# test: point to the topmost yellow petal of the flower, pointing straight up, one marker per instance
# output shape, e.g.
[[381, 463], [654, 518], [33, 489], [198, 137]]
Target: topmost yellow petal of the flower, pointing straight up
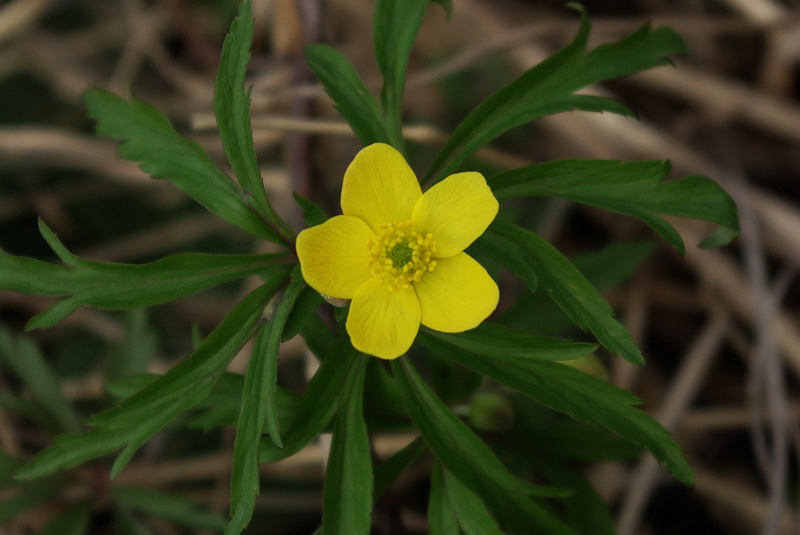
[[379, 186]]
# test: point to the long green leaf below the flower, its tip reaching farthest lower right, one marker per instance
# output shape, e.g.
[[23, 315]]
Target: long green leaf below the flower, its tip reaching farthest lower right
[[585, 398]]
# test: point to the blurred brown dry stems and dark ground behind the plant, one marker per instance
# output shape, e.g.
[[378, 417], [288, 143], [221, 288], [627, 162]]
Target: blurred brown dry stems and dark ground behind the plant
[[719, 328]]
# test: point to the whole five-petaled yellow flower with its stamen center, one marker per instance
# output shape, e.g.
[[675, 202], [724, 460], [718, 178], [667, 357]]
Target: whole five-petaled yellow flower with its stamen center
[[398, 254]]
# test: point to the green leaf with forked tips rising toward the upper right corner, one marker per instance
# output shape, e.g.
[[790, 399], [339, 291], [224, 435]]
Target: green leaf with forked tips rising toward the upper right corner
[[549, 88]]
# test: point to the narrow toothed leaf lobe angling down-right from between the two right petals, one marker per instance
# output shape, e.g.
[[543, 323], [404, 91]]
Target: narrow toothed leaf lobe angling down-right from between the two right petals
[[570, 290]]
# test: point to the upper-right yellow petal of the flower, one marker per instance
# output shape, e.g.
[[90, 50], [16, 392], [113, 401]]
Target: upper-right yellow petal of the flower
[[456, 211]]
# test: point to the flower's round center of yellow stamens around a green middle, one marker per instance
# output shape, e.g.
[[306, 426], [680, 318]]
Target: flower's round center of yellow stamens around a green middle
[[400, 256]]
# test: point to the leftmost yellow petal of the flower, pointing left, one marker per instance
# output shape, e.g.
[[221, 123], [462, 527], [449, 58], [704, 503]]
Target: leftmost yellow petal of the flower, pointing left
[[334, 255]]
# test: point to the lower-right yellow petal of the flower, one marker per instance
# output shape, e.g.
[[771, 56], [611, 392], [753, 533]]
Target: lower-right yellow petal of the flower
[[457, 296]]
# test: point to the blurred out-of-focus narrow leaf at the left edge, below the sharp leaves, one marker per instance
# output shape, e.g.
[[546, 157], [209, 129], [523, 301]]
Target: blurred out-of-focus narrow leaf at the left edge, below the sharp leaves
[[28, 364]]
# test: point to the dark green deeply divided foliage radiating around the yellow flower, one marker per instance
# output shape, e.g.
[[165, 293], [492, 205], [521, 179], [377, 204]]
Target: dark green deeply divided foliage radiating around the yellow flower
[[476, 486]]
